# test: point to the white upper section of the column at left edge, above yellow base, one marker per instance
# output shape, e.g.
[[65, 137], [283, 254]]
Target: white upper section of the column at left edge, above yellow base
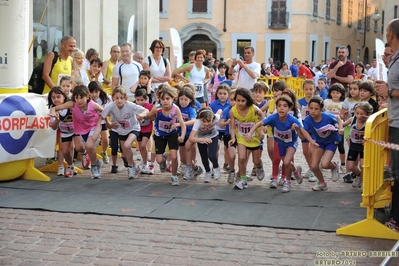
[[14, 17]]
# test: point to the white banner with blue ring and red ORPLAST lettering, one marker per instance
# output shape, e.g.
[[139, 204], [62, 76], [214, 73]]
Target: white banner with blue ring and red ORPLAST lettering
[[24, 127]]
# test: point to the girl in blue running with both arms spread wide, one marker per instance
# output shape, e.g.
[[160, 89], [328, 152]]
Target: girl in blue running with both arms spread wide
[[284, 126]]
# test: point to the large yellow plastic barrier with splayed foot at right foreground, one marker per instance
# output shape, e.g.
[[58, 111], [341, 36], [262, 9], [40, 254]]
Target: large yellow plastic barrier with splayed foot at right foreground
[[376, 193]]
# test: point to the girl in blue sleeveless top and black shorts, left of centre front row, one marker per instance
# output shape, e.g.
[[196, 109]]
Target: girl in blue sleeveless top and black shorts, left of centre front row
[[166, 113]]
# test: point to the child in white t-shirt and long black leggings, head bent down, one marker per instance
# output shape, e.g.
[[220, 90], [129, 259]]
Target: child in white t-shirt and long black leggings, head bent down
[[204, 133]]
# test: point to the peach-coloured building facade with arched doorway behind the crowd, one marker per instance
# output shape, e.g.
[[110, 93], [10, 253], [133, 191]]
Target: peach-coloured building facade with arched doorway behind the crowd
[[282, 29]]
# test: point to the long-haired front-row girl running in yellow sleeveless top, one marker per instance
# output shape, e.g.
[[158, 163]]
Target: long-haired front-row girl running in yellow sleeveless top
[[244, 115]]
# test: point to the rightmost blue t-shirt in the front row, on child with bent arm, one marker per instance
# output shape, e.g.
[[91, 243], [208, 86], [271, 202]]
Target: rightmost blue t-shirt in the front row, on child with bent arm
[[324, 131]]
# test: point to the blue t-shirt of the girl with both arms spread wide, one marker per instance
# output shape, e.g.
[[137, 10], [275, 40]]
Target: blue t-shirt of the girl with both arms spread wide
[[282, 132]]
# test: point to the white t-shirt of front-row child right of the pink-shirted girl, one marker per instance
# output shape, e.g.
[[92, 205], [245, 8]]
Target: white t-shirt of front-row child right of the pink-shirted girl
[[125, 117]]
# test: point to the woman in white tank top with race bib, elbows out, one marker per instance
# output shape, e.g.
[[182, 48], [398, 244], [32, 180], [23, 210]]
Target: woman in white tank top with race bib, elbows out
[[199, 75]]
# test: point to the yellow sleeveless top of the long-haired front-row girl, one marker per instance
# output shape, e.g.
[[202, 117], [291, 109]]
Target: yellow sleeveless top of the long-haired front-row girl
[[244, 125]]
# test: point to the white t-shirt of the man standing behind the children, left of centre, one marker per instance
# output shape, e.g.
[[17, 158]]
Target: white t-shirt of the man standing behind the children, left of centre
[[129, 74]]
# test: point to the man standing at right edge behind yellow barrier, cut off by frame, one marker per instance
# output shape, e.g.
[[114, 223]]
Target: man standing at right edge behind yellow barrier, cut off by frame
[[392, 91]]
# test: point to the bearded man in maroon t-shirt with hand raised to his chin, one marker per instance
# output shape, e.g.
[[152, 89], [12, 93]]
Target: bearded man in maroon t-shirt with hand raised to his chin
[[341, 70]]
